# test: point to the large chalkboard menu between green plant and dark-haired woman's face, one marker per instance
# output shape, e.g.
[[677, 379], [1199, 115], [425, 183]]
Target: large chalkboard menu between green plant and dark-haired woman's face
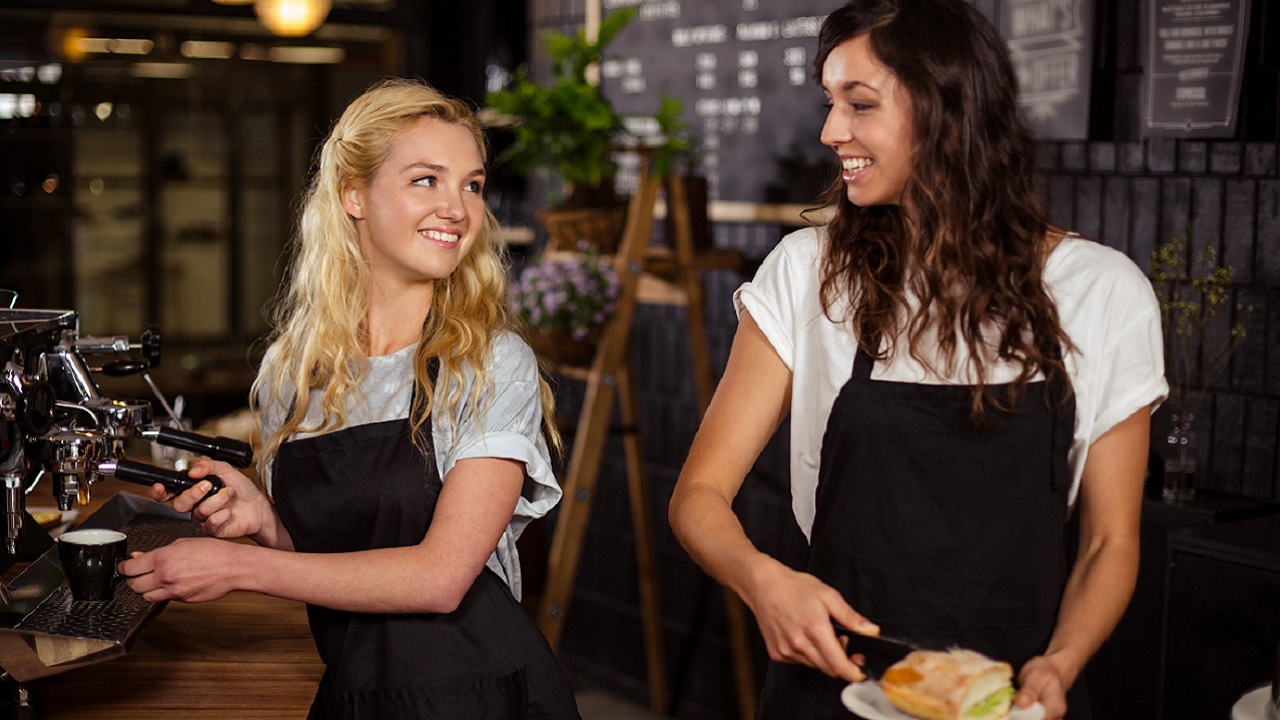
[[743, 70]]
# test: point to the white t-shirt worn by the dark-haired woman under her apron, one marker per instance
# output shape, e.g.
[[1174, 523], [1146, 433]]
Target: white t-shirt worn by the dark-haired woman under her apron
[[1104, 302]]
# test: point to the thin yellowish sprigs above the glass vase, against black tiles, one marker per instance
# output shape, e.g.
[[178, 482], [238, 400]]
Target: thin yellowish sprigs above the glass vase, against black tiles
[[1192, 291]]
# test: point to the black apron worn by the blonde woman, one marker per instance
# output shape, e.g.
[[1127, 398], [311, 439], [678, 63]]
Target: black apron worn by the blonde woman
[[368, 487]]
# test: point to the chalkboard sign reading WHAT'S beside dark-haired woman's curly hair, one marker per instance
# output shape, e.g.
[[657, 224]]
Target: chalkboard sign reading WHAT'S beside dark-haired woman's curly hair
[[1050, 43]]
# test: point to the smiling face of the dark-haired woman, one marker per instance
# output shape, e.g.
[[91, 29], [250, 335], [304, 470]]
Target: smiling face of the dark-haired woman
[[868, 125]]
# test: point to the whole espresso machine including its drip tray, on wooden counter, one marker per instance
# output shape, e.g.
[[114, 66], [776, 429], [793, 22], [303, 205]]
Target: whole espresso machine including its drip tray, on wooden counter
[[57, 423]]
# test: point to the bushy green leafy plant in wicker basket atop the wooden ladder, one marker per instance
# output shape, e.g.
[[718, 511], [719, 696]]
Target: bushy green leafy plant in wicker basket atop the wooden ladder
[[568, 126]]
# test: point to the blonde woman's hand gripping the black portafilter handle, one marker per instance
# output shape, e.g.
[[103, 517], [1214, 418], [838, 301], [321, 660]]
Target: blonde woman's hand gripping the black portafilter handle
[[237, 511]]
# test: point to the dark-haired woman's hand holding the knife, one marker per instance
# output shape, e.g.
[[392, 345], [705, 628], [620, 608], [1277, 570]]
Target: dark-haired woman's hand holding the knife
[[796, 613]]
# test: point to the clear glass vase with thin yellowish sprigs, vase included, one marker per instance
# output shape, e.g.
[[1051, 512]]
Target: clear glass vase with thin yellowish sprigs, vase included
[[1192, 291]]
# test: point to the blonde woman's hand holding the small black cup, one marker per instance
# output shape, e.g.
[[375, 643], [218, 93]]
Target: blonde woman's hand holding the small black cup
[[188, 569]]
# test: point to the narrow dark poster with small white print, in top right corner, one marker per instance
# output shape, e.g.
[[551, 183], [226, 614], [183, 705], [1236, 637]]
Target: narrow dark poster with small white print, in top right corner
[[1195, 65]]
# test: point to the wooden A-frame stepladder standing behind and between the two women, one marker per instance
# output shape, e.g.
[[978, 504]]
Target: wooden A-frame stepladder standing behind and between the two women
[[646, 275]]
